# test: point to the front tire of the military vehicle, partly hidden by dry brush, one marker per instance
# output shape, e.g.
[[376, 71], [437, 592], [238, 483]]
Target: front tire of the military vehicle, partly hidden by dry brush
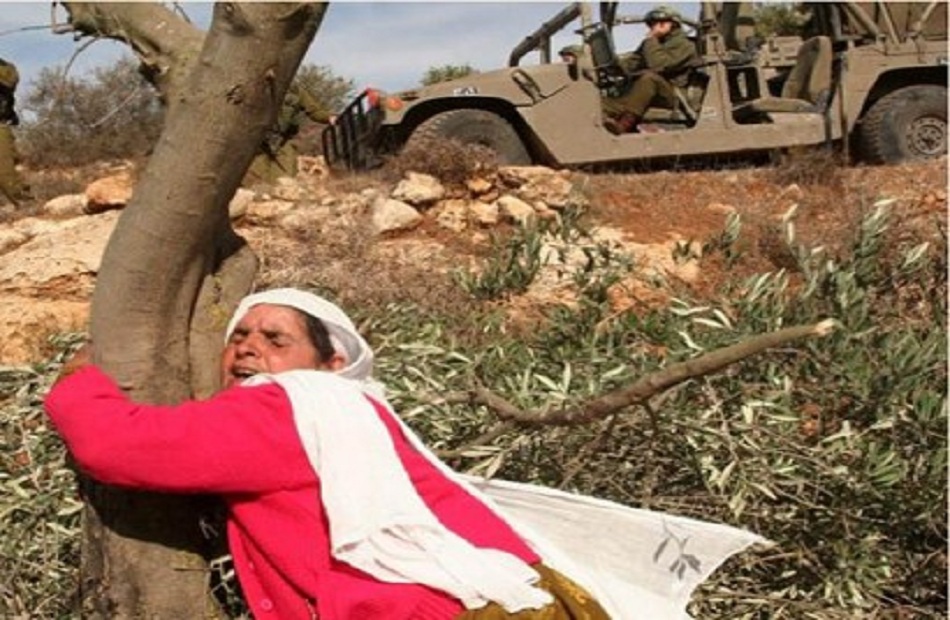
[[476, 127]]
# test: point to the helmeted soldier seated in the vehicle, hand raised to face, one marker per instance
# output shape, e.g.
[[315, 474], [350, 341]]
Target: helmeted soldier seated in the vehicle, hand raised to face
[[660, 64]]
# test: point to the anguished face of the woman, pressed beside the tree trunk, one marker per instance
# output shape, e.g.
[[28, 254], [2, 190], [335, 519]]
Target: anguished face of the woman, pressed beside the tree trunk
[[269, 339]]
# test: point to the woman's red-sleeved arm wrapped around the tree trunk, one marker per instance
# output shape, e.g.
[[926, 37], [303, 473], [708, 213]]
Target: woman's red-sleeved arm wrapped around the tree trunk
[[243, 440]]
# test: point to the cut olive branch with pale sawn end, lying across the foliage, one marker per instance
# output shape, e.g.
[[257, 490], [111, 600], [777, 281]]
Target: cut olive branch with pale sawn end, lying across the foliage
[[640, 391]]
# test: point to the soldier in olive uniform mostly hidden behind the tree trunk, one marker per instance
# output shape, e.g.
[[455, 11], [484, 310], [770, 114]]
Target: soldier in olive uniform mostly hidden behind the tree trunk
[[278, 155]]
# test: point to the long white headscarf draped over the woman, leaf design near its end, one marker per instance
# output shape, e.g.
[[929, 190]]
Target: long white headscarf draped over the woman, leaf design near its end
[[636, 563]]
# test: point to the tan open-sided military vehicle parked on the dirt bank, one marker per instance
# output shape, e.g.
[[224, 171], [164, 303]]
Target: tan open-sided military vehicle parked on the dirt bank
[[868, 77]]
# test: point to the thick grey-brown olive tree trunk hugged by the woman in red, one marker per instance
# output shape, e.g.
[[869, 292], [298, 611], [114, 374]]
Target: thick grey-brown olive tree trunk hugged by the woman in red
[[172, 269]]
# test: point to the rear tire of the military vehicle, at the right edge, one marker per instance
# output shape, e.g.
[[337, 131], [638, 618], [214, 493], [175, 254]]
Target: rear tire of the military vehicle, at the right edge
[[905, 125]]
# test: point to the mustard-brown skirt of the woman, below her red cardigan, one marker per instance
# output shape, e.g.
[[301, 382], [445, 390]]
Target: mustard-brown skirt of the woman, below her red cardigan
[[571, 602]]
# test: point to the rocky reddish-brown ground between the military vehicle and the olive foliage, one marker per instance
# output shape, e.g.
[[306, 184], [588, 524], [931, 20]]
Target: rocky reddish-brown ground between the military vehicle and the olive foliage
[[50, 250]]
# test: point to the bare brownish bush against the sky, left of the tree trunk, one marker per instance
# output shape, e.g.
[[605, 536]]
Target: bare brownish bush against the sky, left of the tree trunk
[[113, 114]]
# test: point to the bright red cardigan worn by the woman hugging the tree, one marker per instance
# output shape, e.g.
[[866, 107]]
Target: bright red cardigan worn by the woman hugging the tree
[[242, 444]]
